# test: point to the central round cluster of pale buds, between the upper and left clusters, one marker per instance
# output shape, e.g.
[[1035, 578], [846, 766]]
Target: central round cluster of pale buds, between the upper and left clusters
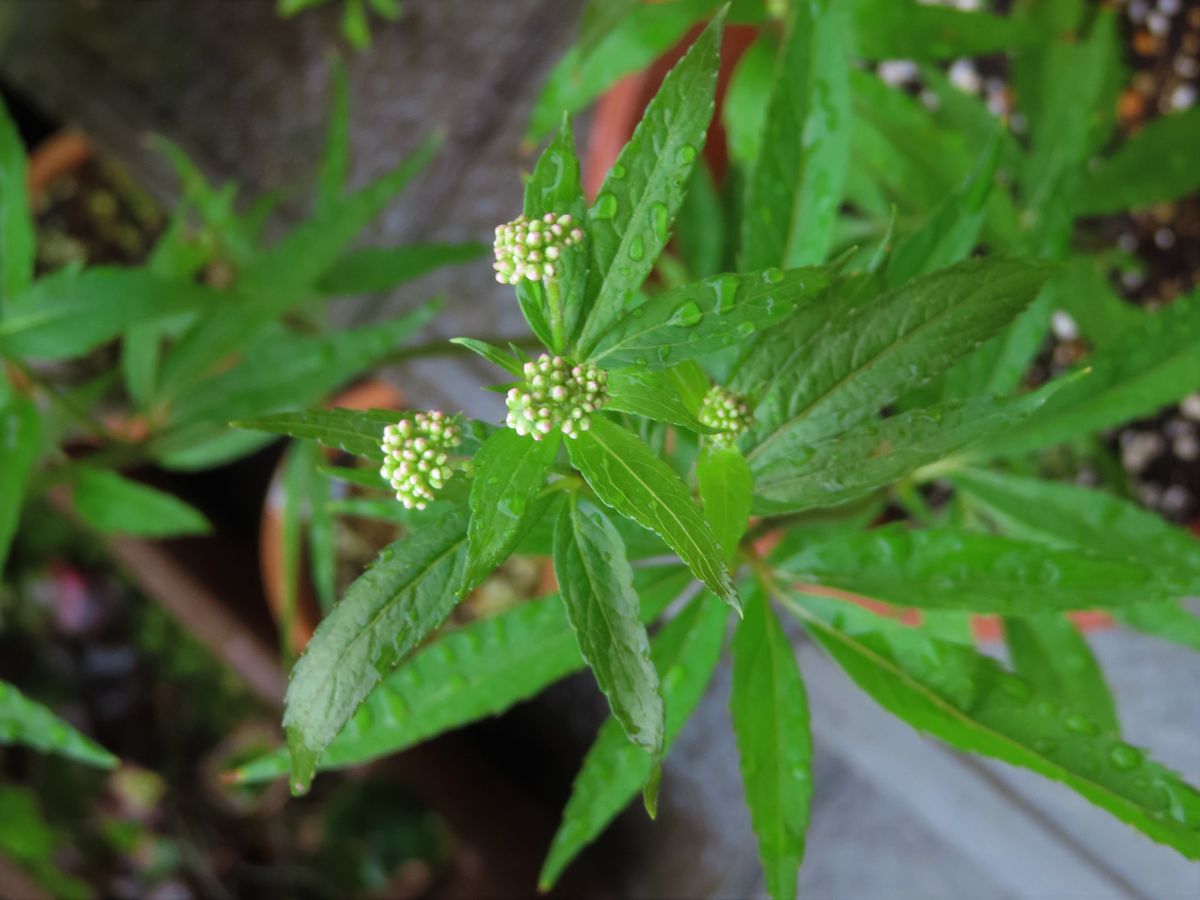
[[557, 395]]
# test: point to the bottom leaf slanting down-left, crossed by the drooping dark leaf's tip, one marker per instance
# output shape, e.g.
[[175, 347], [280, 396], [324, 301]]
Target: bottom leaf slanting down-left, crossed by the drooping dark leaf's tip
[[686, 653]]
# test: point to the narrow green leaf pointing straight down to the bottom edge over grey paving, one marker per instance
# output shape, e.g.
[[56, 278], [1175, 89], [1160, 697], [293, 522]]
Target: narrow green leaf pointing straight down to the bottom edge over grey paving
[[771, 723]]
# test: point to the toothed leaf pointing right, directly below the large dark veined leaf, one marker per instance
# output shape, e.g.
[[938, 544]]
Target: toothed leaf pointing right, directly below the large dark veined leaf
[[879, 453]]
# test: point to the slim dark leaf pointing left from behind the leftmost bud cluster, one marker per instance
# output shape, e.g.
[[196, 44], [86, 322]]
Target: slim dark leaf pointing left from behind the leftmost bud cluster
[[358, 433]]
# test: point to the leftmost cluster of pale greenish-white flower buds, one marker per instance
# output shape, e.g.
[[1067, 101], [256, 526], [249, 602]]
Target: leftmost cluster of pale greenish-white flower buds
[[417, 460]]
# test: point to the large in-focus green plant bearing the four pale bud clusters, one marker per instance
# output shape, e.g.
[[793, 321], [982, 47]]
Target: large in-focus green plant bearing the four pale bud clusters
[[796, 398]]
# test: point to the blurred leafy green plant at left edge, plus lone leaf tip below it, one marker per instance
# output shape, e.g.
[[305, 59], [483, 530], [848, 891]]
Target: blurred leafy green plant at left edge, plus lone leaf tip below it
[[218, 322]]
